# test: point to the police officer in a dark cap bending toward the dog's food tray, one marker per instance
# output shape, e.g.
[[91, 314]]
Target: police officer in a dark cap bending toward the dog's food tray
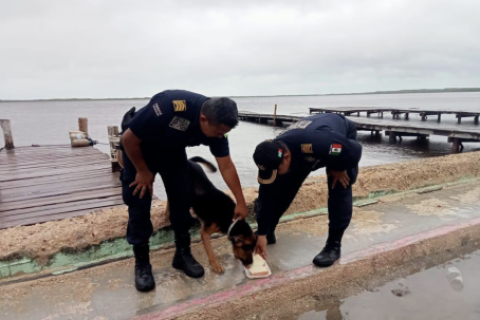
[[324, 140]]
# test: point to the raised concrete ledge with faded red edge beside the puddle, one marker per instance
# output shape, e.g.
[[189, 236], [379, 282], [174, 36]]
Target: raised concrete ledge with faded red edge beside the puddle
[[304, 281]]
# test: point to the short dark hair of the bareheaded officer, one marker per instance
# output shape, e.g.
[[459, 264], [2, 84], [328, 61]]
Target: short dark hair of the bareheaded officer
[[221, 111]]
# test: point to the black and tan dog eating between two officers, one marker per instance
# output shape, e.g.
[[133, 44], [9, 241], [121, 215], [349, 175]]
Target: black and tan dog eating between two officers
[[215, 210]]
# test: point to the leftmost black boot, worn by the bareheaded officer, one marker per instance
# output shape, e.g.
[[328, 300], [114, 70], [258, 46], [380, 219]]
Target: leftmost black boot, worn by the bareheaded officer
[[143, 269]]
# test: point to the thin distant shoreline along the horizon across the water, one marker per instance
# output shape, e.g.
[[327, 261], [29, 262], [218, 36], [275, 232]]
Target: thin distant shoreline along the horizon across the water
[[446, 90]]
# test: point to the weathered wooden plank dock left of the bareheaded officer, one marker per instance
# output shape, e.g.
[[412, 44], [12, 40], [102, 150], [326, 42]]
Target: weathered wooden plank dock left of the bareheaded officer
[[40, 184]]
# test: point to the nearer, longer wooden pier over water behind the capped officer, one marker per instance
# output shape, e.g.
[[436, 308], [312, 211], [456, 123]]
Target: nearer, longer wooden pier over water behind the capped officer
[[457, 134]]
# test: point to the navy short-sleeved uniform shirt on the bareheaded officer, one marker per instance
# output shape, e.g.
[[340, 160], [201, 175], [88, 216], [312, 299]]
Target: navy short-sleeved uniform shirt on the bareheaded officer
[[171, 120]]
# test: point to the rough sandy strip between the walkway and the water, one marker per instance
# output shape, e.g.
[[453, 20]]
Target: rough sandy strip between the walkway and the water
[[42, 241]]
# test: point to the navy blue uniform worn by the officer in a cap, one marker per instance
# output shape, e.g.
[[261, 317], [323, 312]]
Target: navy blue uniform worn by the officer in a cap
[[324, 140]]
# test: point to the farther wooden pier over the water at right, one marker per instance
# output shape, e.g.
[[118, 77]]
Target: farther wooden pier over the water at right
[[397, 113]]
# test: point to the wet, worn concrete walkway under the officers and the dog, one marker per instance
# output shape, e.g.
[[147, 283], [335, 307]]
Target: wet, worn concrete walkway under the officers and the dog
[[107, 292]]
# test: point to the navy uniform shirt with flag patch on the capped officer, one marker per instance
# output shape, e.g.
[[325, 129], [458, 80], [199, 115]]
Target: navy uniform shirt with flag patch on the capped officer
[[324, 140]]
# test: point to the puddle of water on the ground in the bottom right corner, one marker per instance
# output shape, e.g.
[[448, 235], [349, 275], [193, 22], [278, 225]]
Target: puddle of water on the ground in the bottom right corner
[[444, 287]]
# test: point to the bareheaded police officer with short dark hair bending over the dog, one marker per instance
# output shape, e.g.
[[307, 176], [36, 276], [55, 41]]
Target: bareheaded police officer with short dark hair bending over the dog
[[155, 142]]
